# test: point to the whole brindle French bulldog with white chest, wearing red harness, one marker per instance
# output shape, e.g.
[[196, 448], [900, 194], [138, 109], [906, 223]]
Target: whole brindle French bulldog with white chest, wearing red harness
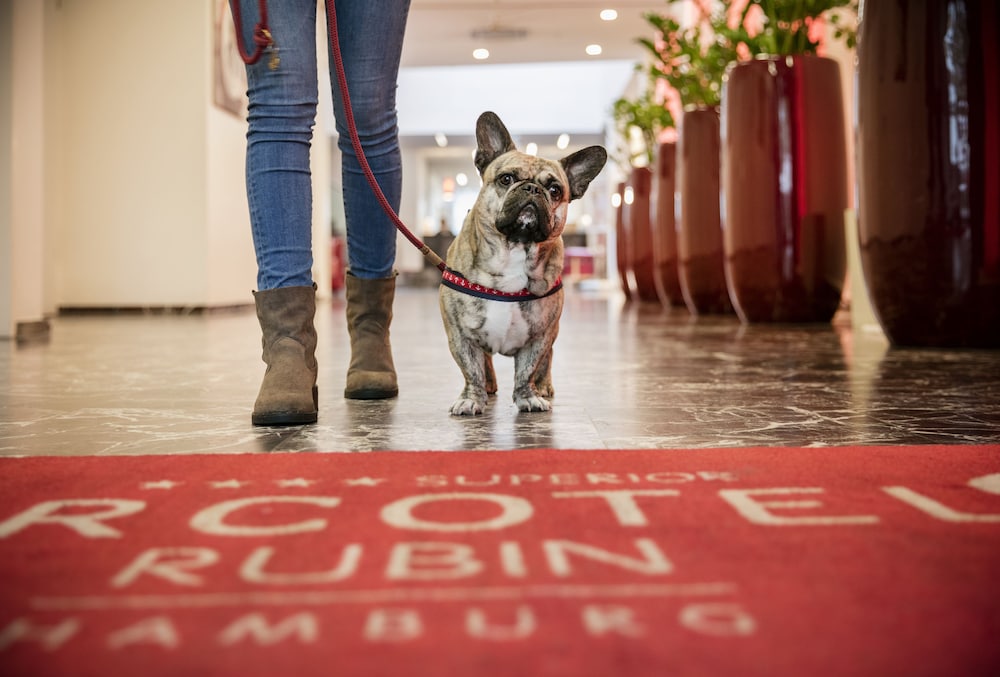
[[508, 259]]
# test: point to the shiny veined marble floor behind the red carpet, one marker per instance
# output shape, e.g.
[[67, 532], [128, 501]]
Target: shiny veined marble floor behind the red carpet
[[627, 375]]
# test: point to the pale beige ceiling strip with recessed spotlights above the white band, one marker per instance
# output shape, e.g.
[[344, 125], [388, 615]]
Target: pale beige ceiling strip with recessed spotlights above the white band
[[441, 32]]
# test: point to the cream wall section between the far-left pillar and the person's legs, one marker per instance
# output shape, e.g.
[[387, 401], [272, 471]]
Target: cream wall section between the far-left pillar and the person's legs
[[151, 176]]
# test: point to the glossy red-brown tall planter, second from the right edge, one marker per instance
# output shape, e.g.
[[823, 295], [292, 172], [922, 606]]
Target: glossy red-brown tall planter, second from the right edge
[[784, 166]]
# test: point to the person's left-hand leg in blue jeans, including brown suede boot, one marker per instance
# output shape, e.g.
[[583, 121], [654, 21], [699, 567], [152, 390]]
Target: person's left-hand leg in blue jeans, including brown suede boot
[[281, 117]]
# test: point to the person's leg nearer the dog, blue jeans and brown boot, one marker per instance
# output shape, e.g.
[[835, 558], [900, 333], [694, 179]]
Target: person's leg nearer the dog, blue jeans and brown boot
[[371, 39]]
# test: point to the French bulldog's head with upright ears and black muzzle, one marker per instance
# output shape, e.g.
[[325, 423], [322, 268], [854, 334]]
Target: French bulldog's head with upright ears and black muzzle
[[527, 196]]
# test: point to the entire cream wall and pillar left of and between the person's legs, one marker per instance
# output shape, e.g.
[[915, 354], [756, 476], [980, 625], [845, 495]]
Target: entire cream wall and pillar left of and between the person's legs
[[121, 183]]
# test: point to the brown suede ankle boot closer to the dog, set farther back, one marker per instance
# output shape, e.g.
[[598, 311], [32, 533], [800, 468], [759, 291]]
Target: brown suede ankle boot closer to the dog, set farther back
[[371, 374]]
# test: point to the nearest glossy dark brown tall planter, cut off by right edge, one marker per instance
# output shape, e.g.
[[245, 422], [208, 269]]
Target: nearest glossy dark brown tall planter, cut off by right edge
[[928, 163]]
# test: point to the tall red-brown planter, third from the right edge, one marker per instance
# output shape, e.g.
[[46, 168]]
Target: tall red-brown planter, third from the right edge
[[699, 234]]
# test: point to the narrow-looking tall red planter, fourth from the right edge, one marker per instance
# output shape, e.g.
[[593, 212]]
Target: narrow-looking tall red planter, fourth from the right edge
[[668, 287]]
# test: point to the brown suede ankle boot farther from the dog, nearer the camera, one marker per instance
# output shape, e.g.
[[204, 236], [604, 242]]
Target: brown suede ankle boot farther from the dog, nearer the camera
[[288, 392]]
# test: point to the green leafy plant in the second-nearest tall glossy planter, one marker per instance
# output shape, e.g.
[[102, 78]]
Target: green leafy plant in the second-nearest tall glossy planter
[[786, 23]]
